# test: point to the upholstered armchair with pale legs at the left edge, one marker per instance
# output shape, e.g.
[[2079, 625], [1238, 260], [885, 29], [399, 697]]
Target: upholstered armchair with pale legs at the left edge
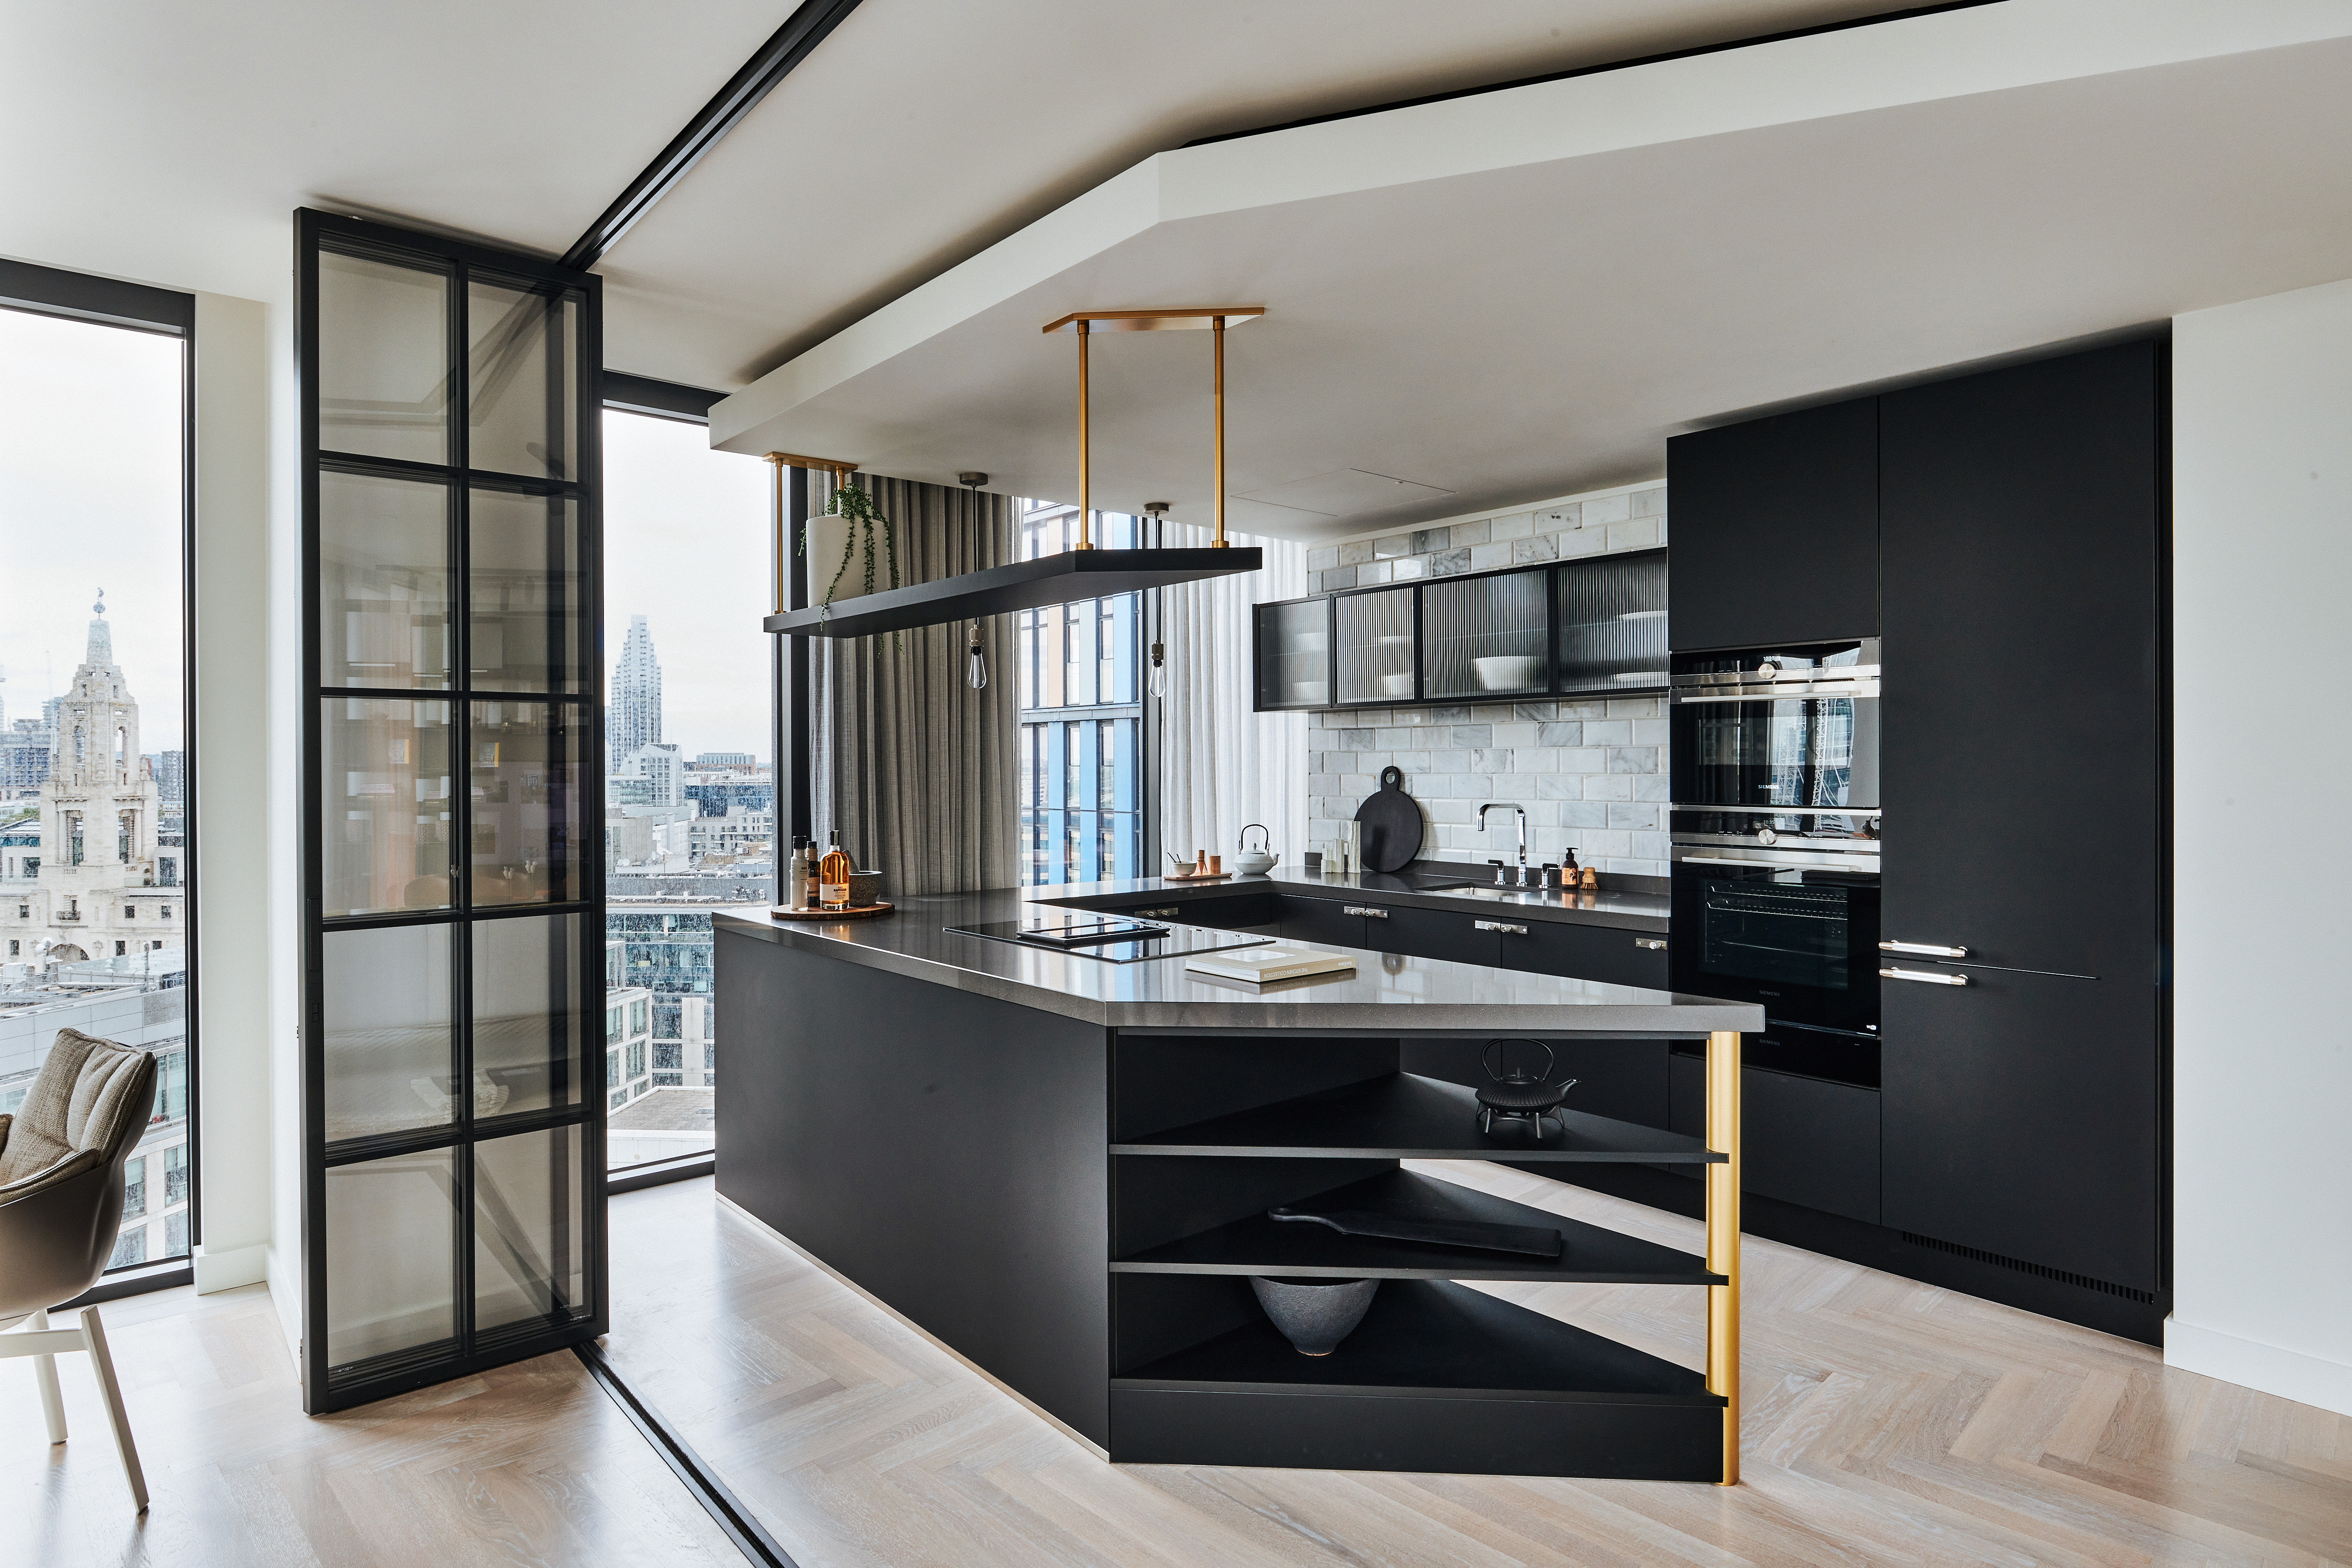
[[60, 1209]]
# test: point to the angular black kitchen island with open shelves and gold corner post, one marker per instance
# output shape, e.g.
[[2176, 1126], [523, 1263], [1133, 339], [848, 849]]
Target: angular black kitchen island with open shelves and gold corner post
[[1062, 1170]]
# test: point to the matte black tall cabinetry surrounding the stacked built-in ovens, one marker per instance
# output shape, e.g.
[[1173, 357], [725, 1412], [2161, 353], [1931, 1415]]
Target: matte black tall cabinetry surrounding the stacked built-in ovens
[[2005, 535]]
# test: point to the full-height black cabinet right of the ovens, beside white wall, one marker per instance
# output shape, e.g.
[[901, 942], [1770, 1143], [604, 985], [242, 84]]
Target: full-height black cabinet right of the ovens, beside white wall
[[2024, 772]]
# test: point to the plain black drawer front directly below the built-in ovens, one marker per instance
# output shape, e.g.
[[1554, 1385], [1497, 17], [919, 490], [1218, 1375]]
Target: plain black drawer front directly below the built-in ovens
[[1805, 1141]]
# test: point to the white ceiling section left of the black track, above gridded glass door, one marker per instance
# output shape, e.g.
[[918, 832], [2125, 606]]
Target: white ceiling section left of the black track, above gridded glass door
[[173, 142]]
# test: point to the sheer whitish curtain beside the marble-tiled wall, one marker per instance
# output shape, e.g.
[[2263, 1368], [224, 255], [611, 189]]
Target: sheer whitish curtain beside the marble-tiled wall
[[1220, 763]]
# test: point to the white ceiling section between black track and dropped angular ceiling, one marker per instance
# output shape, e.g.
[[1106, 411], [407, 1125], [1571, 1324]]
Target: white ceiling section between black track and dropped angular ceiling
[[926, 130]]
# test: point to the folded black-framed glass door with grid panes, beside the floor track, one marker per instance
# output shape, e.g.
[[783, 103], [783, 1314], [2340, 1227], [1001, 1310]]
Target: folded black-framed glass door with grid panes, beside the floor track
[[453, 810]]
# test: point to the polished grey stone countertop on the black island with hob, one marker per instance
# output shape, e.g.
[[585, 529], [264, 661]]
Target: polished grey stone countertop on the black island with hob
[[1384, 993]]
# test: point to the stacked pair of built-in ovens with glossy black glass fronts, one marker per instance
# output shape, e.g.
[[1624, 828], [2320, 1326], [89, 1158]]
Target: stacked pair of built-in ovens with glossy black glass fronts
[[1777, 831]]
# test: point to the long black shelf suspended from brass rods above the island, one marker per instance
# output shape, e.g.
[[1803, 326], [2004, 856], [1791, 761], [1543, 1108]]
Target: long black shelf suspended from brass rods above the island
[[1050, 579]]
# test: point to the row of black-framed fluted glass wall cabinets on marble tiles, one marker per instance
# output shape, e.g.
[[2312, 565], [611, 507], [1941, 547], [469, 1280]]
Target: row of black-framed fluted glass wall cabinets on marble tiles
[[1577, 629]]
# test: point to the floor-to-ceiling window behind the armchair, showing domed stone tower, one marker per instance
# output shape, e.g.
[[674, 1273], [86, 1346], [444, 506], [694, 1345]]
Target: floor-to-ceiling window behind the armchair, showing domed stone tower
[[95, 706]]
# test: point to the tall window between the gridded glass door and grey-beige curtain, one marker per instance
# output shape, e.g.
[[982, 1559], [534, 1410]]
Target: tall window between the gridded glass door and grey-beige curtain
[[690, 786]]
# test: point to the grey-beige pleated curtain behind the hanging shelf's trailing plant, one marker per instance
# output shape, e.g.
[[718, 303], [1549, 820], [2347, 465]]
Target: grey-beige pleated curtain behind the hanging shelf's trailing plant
[[909, 760]]
